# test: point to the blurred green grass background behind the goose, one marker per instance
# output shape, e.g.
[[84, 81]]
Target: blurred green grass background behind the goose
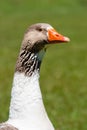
[[64, 69]]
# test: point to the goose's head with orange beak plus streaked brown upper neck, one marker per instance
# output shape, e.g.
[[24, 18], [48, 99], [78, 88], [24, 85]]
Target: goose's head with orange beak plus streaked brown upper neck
[[34, 44]]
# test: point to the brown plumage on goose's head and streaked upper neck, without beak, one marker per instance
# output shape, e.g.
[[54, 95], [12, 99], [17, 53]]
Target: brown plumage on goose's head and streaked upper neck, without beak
[[35, 39]]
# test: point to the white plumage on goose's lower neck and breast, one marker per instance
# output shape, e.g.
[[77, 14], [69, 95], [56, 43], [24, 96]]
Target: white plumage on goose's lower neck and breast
[[26, 109]]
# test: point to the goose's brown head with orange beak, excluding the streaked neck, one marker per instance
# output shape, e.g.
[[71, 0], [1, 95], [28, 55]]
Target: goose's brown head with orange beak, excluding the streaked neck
[[41, 34]]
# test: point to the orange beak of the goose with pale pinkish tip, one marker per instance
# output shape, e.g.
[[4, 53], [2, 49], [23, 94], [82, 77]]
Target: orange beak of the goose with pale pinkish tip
[[54, 37]]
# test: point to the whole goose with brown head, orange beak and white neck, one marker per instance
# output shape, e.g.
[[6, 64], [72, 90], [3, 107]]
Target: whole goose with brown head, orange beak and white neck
[[27, 111]]
